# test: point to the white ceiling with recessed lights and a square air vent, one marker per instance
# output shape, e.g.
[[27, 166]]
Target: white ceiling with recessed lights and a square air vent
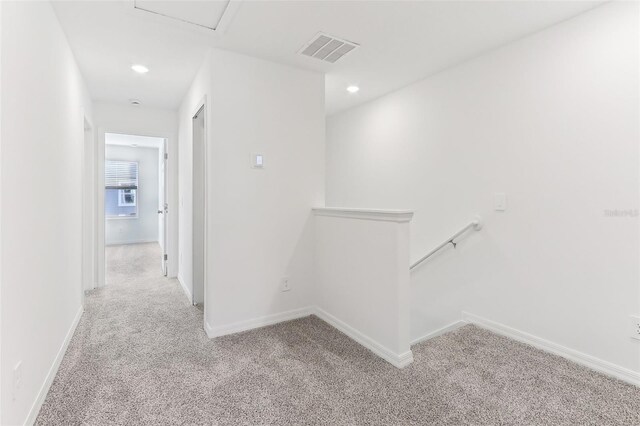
[[401, 42]]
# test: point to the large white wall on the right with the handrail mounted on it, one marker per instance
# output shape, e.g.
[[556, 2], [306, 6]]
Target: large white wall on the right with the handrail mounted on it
[[551, 120]]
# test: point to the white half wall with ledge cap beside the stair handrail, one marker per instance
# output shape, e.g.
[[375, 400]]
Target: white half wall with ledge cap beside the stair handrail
[[362, 278]]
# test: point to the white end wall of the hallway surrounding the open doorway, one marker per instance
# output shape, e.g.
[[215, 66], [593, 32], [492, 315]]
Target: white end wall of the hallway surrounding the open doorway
[[141, 121]]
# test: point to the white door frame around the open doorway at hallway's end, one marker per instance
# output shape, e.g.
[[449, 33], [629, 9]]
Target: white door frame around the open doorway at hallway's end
[[170, 182]]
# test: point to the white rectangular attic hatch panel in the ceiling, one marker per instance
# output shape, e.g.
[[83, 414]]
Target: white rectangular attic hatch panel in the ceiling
[[210, 15]]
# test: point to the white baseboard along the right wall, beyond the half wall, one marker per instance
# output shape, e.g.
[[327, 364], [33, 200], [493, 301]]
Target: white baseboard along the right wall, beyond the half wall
[[589, 361]]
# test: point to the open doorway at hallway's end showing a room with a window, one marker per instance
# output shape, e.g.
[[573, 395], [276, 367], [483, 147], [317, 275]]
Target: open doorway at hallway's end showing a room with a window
[[135, 207]]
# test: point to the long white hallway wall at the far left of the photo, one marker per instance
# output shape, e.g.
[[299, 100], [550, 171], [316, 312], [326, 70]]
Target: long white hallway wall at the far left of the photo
[[44, 100]]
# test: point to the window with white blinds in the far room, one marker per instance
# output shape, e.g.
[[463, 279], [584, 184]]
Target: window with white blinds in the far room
[[121, 189]]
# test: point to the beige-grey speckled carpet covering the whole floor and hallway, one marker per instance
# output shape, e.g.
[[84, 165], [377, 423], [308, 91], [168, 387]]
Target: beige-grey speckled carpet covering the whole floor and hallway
[[141, 357]]
